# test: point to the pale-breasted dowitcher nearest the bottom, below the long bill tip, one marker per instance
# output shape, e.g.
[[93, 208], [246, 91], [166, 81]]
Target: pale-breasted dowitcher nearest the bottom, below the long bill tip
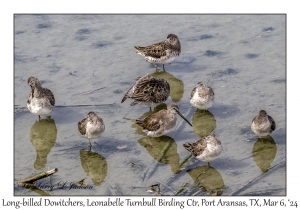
[[205, 149]]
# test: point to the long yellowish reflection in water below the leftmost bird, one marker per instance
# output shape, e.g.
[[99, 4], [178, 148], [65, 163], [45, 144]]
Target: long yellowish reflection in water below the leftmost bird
[[43, 135]]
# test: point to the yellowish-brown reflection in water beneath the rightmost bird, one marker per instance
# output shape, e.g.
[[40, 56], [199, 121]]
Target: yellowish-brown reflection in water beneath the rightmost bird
[[264, 152]]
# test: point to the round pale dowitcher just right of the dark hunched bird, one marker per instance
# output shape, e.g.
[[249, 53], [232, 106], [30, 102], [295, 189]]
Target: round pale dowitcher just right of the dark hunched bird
[[202, 96]]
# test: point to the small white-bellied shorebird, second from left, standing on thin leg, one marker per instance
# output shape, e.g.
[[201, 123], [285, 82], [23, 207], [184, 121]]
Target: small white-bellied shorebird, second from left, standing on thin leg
[[91, 127]]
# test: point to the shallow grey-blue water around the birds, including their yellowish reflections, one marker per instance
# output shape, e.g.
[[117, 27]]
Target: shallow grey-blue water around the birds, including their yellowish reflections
[[88, 62]]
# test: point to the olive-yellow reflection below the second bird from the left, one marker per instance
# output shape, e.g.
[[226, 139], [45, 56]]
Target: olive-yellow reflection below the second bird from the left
[[94, 165]]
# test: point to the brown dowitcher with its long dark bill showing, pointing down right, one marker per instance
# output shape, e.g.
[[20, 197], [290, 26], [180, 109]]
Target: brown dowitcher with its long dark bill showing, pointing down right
[[161, 122]]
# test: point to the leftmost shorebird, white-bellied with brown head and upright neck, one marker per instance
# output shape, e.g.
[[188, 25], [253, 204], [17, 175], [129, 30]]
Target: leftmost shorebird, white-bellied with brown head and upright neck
[[41, 100]]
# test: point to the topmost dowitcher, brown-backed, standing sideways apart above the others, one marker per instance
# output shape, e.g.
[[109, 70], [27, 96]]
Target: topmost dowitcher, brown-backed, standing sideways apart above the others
[[163, 52]]
